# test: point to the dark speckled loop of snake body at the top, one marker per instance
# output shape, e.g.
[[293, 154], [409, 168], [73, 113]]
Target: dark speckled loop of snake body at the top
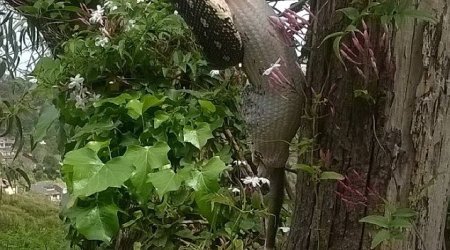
[[212, 24]]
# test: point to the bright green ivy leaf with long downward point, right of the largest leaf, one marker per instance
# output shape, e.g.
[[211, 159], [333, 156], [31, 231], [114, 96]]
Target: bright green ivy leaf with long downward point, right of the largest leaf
[[146, 159]]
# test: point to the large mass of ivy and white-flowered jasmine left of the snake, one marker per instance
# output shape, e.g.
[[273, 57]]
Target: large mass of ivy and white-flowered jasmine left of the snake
[[141, 123]]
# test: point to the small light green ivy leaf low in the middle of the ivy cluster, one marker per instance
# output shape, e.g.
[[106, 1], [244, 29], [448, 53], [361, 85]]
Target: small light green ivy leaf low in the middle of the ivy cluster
[[164, 181]]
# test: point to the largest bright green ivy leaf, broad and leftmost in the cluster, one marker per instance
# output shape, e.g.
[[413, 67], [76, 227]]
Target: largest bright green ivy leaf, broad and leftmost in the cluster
[[90, 175]]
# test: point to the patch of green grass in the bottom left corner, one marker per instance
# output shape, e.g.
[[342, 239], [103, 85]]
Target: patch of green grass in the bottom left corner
[[30, 223]]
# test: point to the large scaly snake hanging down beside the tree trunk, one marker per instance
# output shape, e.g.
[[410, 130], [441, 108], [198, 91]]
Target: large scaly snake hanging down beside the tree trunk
[[240, 31]]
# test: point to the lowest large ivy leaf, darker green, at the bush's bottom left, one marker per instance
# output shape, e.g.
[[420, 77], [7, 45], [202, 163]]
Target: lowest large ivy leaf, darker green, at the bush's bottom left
[[97, 222]]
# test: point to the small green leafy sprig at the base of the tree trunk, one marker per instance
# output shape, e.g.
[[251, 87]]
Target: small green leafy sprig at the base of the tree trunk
[[392, 225]]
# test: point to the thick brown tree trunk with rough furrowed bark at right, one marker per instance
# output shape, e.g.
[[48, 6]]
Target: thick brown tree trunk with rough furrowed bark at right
[[396, 147]]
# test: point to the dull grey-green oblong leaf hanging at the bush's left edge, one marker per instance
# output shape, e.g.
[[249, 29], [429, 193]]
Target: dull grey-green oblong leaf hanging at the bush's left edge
[[47, 116]]
